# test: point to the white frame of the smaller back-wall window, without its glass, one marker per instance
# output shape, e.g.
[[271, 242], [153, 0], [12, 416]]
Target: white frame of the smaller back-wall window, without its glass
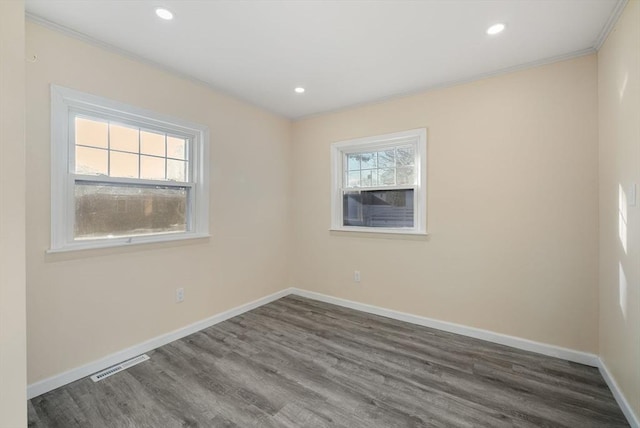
[[339, 152]]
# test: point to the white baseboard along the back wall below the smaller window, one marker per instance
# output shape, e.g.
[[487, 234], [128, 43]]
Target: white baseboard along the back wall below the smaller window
[[490, 336]]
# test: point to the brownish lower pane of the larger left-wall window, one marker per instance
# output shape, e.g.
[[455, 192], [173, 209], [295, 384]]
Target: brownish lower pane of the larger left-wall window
[[105, 210]]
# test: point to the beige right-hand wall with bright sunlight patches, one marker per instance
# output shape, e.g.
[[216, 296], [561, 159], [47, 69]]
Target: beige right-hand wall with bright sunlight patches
[[619, 111]]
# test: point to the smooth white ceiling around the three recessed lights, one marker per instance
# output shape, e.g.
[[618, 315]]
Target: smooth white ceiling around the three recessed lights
[[343, 52]]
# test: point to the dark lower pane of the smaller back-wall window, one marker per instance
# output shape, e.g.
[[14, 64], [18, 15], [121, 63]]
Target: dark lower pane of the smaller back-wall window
[[378, 208]]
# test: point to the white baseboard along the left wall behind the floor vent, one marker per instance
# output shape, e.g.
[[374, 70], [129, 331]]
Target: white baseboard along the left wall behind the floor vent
[[72, 375]]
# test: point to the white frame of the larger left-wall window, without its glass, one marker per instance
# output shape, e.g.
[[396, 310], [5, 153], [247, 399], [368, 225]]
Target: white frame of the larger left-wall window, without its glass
[[65, 105]]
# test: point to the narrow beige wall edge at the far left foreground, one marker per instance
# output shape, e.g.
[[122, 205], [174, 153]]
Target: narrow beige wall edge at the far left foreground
[[13, 410]]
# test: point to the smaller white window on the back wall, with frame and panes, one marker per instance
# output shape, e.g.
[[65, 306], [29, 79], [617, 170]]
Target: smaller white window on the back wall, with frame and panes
[[379, 183]]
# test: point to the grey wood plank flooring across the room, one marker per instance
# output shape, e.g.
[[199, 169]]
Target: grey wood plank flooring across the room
[[302, 363]]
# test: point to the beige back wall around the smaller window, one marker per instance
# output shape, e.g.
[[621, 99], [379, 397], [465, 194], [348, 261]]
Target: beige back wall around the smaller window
[[512, 207]]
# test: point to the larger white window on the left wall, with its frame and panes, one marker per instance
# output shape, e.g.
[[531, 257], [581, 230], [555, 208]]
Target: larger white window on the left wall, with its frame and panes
[[122, 175]]
